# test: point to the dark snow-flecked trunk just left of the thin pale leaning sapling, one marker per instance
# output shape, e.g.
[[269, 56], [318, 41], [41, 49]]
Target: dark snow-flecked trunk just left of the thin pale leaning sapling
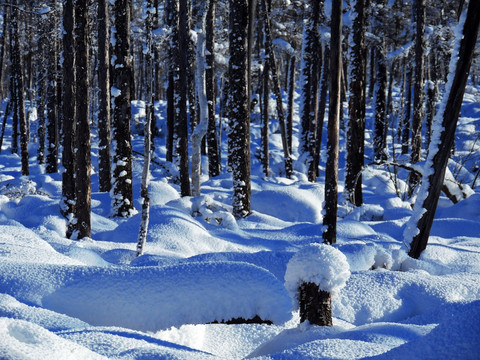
[[121, 93]]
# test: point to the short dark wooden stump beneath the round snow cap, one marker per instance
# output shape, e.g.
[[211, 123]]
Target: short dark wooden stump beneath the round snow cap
[[315, 305]]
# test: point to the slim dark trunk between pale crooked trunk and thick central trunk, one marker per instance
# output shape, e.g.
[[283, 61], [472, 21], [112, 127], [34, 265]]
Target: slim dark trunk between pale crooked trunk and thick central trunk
[[212, 138]]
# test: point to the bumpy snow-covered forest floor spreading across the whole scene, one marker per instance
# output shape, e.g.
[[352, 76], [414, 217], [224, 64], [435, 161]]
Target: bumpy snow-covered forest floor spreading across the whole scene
[[89, 299]]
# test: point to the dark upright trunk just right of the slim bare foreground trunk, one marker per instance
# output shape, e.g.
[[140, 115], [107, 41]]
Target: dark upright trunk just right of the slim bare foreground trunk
[[356, 124]]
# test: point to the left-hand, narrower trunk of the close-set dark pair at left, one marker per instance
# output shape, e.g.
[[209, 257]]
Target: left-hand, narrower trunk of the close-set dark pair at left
[[69, 119]]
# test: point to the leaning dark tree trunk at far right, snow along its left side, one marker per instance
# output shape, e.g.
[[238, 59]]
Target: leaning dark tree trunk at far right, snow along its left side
[[418, 228]]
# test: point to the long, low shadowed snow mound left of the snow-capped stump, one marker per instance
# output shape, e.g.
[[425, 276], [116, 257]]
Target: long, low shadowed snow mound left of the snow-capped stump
[[152, 298]]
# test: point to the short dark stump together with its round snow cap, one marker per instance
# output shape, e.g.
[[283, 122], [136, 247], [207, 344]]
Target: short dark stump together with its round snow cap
[[314, 274]]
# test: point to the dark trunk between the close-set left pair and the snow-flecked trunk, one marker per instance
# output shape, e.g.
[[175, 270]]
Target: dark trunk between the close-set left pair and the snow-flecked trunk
[[104, 115]]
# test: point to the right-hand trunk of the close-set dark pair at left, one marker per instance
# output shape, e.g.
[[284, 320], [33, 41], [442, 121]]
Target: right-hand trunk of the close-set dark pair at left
[[82, 139]]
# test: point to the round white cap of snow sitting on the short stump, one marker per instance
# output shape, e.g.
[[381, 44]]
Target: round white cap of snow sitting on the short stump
[[320, 264]]
